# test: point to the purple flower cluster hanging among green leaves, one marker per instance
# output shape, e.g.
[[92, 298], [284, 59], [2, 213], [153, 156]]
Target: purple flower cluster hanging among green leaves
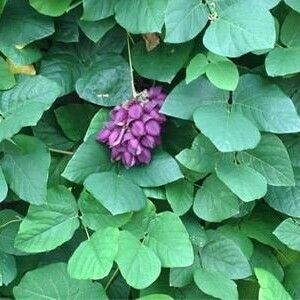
[[135, 128]]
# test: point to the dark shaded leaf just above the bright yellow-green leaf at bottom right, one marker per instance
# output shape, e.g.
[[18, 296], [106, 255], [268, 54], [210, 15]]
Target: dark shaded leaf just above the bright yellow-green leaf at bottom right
[[264, 258]]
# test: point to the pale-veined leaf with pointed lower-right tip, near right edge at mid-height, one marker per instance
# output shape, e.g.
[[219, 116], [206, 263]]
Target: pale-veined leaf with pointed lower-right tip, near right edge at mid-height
[[270, 158]]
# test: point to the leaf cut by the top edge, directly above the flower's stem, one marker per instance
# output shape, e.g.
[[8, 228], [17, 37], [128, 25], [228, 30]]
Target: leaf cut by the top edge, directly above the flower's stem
[[146, 16]]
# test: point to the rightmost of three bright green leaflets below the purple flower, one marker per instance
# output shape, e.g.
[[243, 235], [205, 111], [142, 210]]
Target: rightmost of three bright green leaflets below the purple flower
[[168, 238]]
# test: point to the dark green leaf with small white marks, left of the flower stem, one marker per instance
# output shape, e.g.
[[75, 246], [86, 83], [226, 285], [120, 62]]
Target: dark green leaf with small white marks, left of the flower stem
[[106, 82]]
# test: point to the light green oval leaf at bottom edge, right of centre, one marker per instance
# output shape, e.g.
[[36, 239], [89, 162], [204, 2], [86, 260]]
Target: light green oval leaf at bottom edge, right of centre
[[215, 284]]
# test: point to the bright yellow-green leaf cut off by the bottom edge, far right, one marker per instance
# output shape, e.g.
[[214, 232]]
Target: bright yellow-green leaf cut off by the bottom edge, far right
[[270, 287]]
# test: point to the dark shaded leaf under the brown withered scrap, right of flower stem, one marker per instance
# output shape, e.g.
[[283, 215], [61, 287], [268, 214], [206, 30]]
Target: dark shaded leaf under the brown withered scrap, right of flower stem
[[170, 58]]
